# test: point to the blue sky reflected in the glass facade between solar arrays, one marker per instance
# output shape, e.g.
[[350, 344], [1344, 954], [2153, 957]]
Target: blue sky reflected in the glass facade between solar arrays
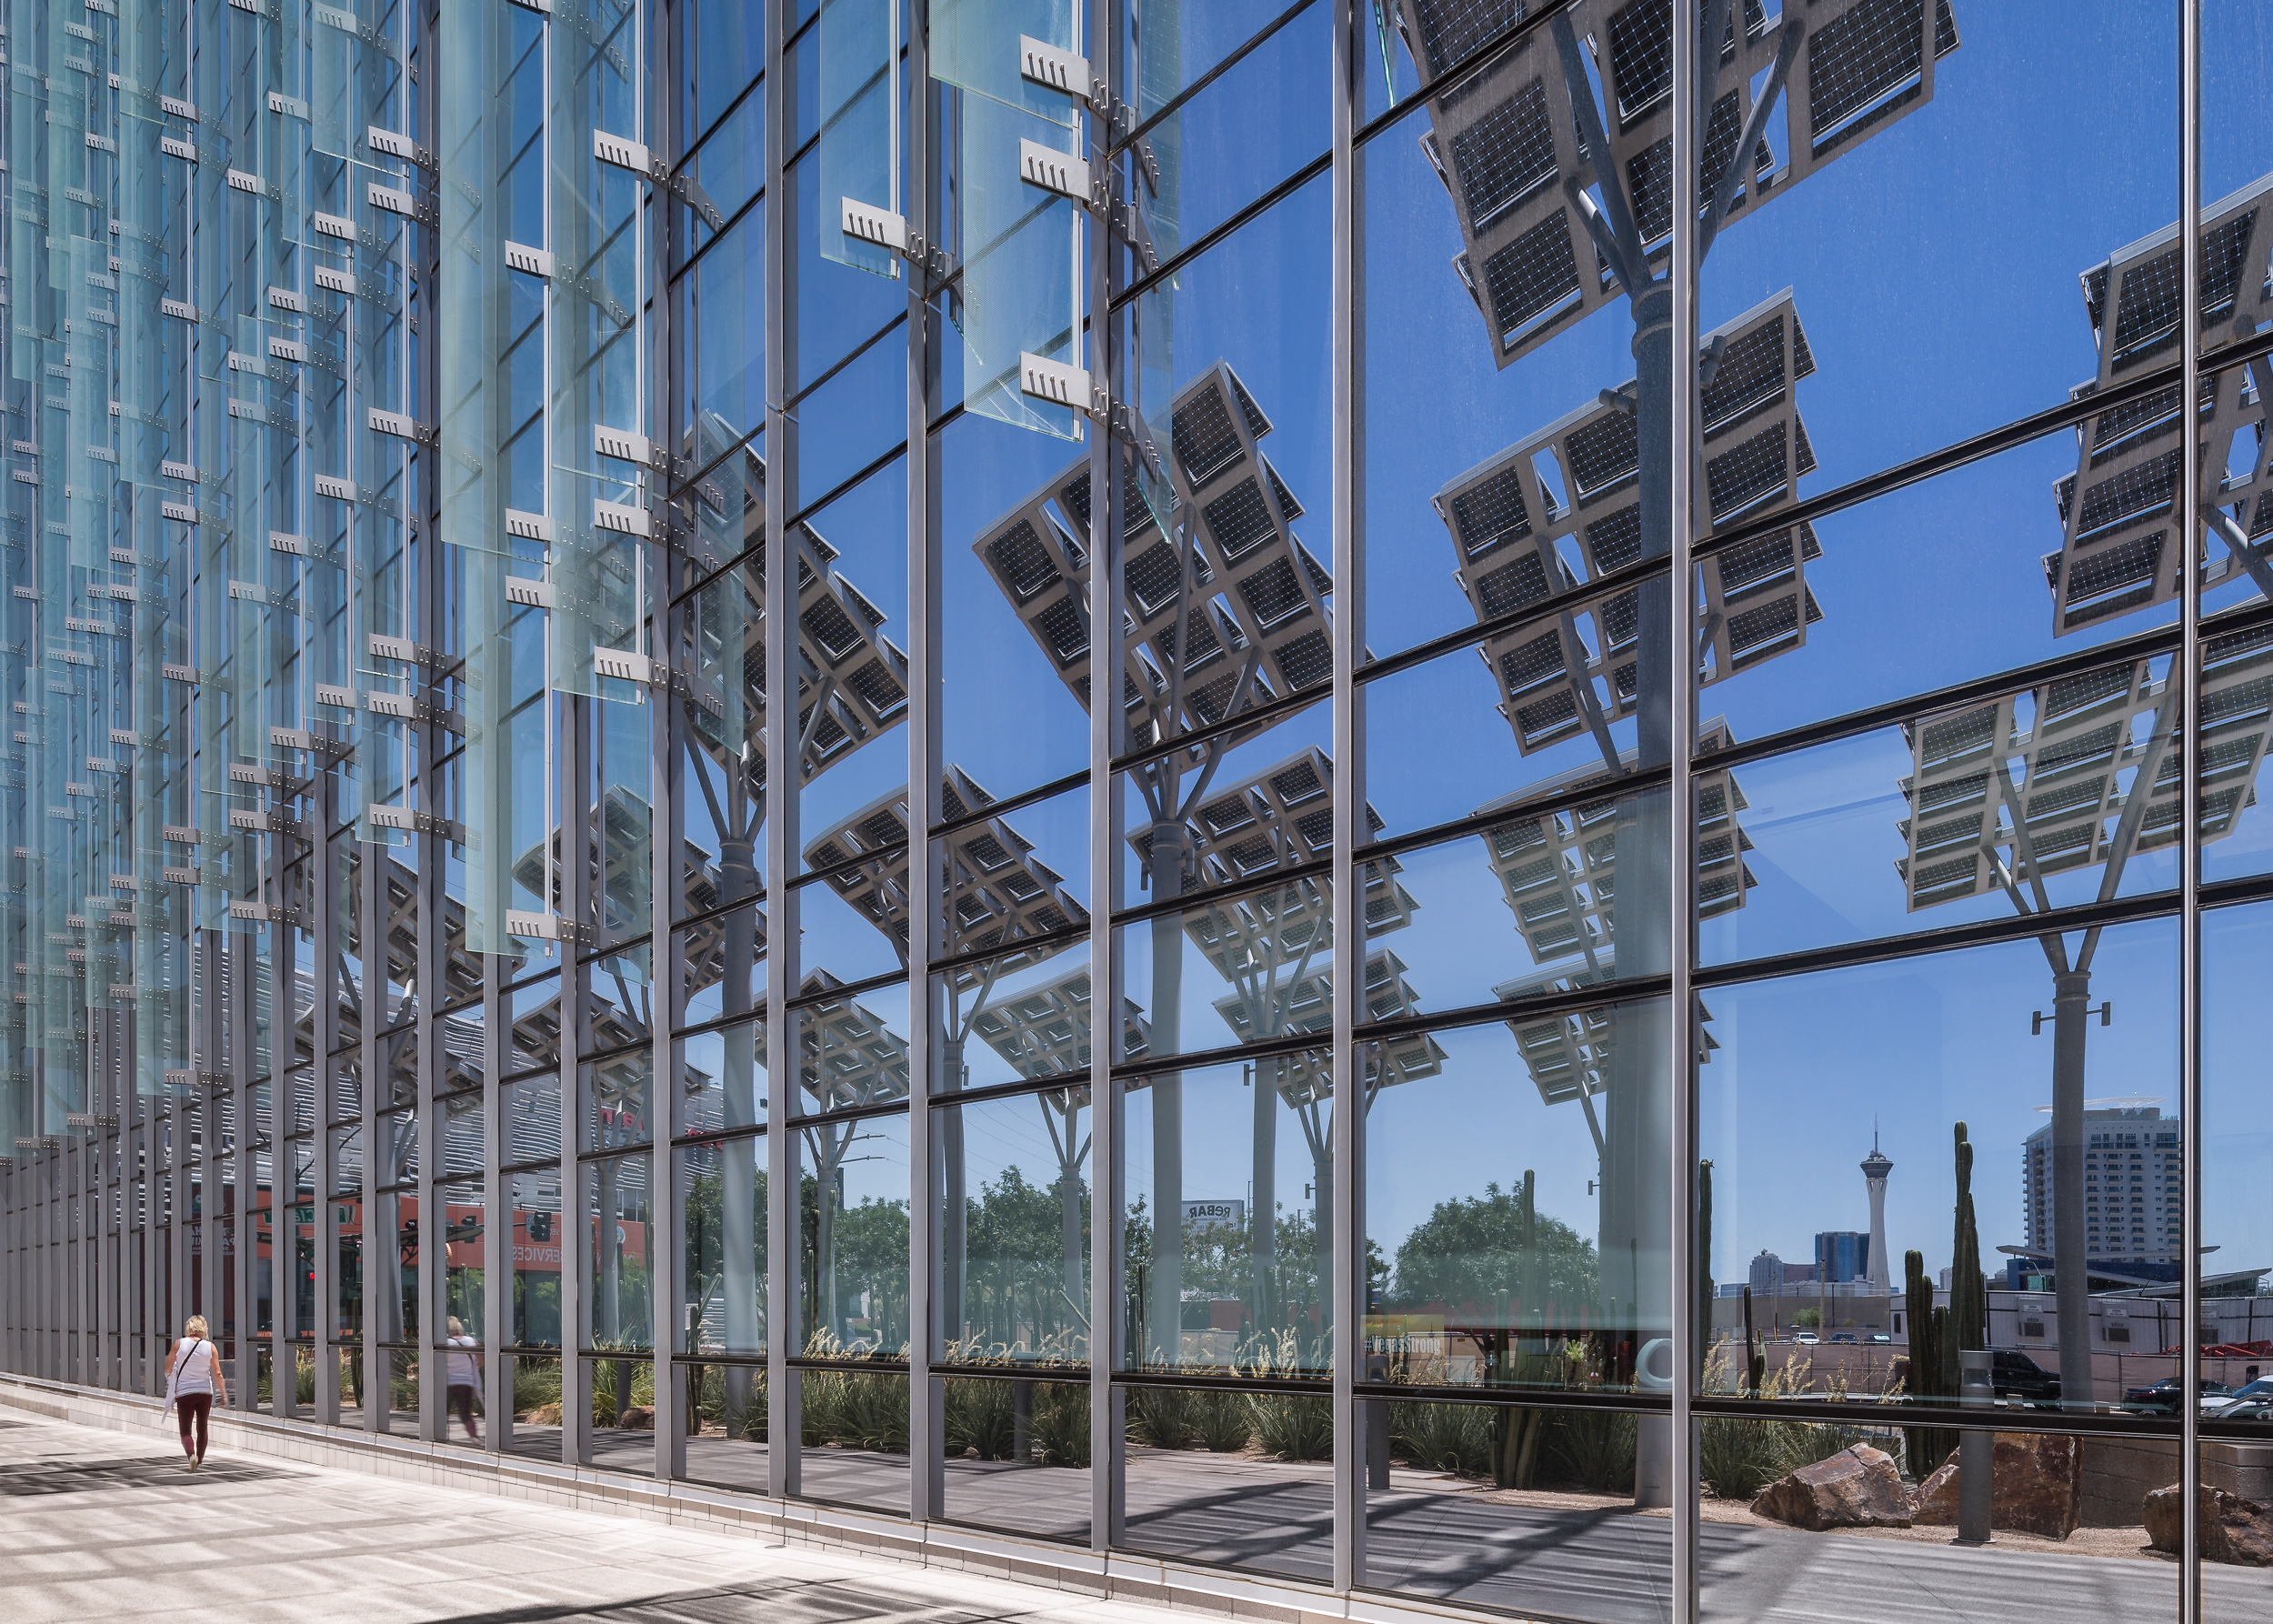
[[1935, 272]]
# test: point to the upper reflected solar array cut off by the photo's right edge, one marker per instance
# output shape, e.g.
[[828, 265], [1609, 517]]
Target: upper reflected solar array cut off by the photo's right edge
[[2122, 504]]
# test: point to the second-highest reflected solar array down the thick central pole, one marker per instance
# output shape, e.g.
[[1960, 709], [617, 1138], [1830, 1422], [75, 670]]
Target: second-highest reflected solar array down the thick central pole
[[1522, 540]]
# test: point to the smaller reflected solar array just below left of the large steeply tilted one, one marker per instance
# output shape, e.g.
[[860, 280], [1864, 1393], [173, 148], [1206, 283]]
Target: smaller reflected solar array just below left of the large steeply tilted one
[[997, 893]]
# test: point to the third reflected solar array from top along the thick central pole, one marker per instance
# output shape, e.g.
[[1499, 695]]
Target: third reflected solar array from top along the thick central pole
[[1558, 870]]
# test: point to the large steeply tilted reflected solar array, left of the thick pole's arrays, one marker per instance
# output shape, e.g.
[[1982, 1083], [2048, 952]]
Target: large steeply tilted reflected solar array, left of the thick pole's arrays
[[1229, 613]]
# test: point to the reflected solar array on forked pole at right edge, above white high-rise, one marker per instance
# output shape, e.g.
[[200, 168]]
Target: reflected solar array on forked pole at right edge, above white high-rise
[[2038, 781]]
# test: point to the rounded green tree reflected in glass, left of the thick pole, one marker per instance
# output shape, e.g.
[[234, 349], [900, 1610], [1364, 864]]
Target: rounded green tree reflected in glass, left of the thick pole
[[1474, 1254]]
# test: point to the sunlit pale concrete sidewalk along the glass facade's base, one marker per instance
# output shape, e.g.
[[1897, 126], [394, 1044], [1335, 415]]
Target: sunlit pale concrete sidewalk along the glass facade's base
[[108, 1527]]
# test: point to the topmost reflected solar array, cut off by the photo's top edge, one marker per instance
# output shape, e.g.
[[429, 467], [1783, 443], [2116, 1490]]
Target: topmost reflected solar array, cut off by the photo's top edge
[[1515, 158]]
